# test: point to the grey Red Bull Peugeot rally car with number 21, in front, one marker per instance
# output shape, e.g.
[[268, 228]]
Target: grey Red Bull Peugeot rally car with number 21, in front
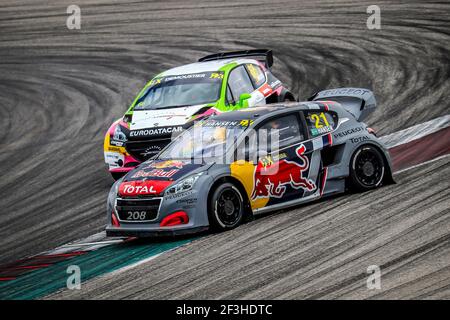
[[241, 163]]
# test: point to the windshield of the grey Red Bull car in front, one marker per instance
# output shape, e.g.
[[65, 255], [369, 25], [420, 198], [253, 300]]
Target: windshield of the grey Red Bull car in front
[[206, 139]]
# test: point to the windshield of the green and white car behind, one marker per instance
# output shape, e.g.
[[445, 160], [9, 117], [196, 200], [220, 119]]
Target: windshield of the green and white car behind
[[181, 90]]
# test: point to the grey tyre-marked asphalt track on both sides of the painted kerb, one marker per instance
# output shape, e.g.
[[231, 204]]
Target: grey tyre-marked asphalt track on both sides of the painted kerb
[[60, 90]]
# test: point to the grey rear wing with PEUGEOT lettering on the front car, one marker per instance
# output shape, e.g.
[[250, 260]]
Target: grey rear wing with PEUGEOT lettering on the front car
[[358, 101]]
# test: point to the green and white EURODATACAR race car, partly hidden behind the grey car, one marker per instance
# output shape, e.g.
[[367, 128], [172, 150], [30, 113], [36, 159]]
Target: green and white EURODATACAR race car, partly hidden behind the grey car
[[175, 98]]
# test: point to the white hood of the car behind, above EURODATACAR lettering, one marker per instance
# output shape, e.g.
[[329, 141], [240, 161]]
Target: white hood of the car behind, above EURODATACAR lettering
[[143, 119]]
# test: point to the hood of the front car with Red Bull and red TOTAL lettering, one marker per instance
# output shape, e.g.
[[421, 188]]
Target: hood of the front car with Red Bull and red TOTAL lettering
[[153, 177]]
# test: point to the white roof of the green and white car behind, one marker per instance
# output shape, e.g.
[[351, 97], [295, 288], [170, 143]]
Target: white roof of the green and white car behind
[[207, 66]]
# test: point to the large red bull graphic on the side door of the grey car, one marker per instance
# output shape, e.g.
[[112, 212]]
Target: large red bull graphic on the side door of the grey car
[[271, 178]]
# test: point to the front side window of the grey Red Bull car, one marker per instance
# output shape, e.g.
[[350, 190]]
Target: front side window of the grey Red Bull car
[[282, 131]]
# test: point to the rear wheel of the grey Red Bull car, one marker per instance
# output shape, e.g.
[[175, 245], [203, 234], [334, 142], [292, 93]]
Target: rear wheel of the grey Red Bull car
[[367, 169]]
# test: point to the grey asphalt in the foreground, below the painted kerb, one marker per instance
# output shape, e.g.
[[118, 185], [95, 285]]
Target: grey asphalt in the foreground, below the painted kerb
[[321, 251]]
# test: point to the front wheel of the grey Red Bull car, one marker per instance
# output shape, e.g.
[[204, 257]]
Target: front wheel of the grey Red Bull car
[[225, 208]]
